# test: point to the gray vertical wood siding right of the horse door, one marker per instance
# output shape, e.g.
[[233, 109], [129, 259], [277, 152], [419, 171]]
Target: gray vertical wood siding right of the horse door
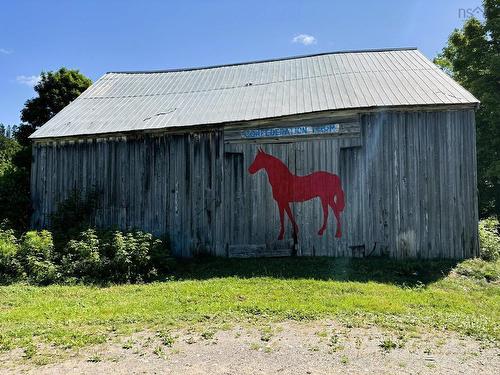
[[419, 173]]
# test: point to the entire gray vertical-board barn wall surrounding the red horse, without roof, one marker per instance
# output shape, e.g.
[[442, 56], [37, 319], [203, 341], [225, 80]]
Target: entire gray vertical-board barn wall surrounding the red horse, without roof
[[409, 180]]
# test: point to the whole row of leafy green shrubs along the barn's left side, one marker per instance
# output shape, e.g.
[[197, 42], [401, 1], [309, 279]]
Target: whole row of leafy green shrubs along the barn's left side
[[92, 256]]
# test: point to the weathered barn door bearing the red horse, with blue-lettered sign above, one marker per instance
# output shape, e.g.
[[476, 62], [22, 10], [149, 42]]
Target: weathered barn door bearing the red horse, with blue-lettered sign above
[[262, 193]]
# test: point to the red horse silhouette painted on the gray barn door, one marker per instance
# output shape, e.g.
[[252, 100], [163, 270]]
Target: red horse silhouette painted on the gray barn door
[[288, 187]]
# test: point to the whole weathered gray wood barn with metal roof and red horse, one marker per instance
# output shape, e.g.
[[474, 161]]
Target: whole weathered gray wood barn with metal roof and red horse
[[336, 154]]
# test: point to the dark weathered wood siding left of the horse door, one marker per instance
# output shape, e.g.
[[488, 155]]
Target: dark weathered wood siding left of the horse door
[[167, 185]]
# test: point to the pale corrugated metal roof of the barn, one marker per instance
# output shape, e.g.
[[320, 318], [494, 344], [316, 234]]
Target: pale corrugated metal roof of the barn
[[129, 101]]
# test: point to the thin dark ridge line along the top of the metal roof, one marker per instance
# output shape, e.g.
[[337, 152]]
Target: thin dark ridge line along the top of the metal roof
[[262, 61]]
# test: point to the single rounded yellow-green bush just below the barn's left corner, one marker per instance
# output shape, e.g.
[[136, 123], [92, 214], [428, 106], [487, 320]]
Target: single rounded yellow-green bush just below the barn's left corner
[[36, 257]]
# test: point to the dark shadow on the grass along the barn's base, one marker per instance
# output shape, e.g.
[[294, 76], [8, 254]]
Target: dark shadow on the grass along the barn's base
[[408, 272]]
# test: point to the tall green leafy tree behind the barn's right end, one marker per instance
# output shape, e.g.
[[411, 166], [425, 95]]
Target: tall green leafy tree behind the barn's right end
[[472, 57]]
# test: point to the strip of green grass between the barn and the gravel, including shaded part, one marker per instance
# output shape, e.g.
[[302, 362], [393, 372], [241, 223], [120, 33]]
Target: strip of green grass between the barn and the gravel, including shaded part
[[211, 293]]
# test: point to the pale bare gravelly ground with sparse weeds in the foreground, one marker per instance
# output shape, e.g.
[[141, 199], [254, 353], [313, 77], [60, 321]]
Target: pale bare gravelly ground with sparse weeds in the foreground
[[285, 348]]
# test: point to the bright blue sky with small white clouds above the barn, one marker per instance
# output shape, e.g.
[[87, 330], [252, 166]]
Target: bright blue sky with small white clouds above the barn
[[96, 36]]
